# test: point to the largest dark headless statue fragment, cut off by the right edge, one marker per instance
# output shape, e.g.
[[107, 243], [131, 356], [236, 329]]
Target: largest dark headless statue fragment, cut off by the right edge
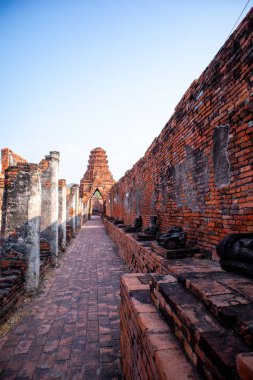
[[236, 253]]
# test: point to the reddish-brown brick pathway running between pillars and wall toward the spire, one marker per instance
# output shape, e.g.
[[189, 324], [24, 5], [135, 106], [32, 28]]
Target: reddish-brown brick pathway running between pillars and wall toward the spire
[[71, 330]]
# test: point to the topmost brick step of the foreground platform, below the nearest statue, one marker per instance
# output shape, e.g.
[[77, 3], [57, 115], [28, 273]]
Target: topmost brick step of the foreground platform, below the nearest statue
[[229, 297]]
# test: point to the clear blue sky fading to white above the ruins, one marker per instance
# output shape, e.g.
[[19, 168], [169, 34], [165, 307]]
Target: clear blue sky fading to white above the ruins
[[79, 74]]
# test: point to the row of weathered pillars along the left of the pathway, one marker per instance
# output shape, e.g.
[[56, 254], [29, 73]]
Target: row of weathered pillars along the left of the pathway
[[37, 210]]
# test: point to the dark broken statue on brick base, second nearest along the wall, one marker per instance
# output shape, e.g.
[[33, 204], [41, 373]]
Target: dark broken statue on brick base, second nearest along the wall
[[174, 239]]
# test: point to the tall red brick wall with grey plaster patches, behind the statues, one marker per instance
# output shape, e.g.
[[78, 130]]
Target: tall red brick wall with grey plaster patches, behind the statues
[[198, 172]]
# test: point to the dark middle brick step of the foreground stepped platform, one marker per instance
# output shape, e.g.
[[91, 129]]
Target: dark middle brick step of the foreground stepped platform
[[211, 347]]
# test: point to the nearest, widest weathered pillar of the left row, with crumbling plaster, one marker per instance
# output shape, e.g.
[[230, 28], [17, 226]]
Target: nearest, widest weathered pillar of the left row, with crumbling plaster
[[21, 220]]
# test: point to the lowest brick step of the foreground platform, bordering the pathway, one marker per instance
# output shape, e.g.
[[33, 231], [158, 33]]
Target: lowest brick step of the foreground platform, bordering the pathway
[[149, 348]]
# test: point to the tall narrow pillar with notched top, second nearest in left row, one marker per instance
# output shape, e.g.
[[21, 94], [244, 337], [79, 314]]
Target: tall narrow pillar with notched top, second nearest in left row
[[49, 206]]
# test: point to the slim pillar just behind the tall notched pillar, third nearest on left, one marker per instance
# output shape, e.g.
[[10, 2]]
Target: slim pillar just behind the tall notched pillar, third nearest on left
[[62, 214]]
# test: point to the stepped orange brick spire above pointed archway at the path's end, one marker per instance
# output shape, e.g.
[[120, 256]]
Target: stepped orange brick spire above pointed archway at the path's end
[[97, 176]]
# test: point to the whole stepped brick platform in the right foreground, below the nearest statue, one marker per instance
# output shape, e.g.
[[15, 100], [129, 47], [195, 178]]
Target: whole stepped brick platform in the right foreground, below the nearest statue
[[199, 321]]
